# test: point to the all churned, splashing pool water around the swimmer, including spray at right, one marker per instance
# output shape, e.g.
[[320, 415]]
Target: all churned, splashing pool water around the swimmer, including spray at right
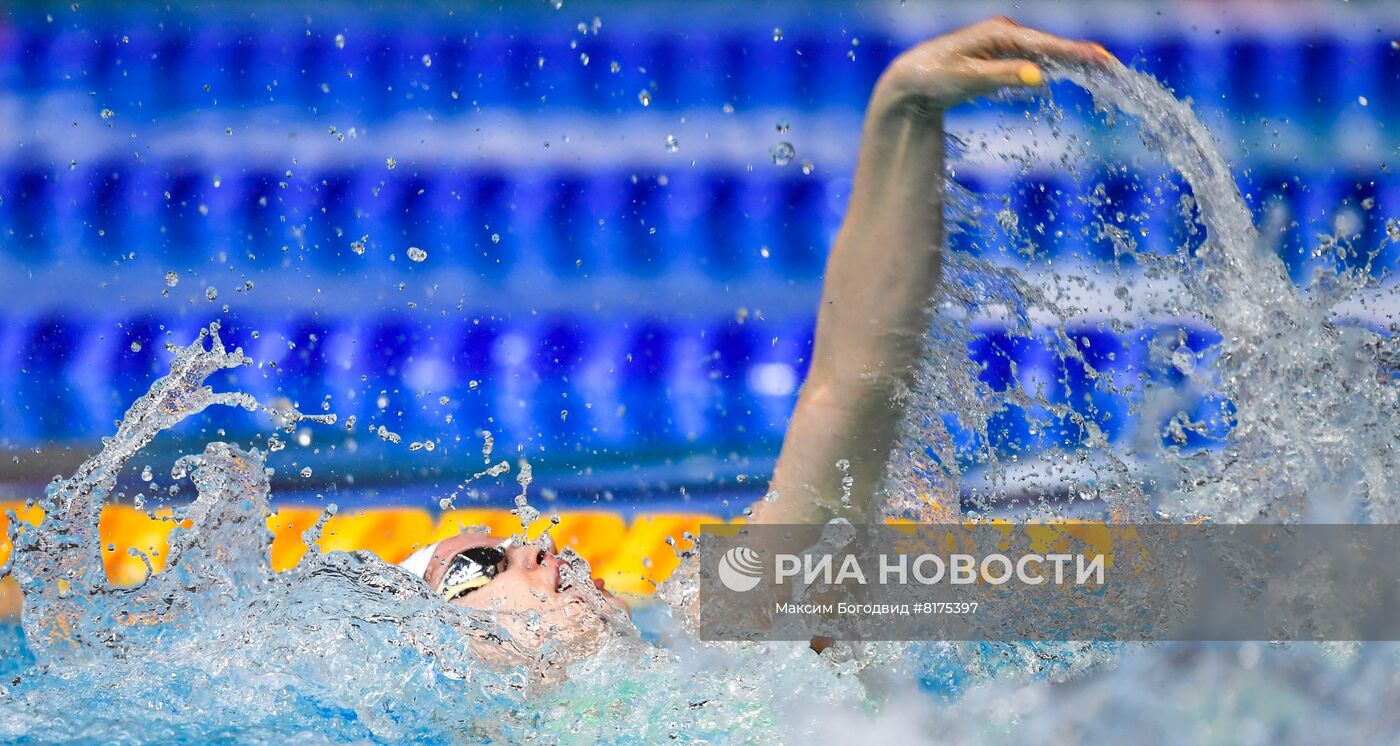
[[345, 647]]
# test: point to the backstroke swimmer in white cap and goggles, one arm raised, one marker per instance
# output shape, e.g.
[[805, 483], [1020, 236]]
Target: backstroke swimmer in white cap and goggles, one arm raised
[[874, 311]]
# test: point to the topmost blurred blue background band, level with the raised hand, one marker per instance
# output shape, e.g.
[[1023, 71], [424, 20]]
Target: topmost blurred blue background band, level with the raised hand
[[376, 69]]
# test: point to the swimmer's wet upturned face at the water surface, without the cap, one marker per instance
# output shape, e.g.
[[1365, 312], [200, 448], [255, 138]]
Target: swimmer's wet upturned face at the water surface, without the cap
[[531, 580]]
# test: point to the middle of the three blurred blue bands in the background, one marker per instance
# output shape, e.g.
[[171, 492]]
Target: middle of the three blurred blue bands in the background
[[614, 223]]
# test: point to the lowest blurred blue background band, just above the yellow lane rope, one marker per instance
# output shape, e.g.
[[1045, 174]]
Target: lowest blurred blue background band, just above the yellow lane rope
[[569, 384]]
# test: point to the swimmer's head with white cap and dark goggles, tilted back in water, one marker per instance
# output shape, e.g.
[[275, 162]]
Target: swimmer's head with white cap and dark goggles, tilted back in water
[[534, 596]]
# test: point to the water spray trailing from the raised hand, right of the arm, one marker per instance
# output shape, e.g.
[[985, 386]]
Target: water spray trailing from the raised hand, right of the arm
[[1308, 401]]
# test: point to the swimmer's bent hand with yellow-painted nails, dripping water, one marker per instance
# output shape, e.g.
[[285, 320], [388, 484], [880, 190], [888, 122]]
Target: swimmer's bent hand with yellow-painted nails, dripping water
[[978, 61]]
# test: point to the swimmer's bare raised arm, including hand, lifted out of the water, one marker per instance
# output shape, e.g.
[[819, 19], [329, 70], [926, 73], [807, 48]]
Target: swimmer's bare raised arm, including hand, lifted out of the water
[[885, 265]]
